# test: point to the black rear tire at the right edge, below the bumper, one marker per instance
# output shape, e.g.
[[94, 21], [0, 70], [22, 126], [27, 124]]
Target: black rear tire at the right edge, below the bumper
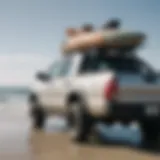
[[151, 133]]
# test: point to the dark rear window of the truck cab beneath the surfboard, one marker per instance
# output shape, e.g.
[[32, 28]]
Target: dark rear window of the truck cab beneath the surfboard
[[102, 63]]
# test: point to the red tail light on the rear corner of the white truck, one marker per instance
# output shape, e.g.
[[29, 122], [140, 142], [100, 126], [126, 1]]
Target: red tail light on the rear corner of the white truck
[[111, 89]]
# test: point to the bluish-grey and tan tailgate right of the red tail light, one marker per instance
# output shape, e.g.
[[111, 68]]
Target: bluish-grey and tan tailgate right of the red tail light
[[134, 88]]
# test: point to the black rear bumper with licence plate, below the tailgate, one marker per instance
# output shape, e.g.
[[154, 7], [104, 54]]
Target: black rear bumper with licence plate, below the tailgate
[[129, 111]]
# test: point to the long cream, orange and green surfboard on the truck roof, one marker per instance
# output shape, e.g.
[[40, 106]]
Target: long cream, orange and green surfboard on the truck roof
[[107, 38]]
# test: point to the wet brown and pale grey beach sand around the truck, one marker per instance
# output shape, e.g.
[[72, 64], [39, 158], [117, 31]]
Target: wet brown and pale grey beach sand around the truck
[[19, 142]]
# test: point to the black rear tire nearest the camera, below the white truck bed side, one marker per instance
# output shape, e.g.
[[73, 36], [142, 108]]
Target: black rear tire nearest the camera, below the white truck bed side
[[80, 122]]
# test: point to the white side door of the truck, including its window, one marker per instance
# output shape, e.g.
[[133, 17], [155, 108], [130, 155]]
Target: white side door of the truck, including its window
[[59, 85]]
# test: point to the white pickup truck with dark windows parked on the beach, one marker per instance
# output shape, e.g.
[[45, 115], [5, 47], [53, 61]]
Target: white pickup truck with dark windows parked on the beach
[[106, 84]]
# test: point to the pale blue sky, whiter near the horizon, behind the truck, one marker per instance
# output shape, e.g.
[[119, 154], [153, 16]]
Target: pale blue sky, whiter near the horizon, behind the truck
[[31, 31]]
